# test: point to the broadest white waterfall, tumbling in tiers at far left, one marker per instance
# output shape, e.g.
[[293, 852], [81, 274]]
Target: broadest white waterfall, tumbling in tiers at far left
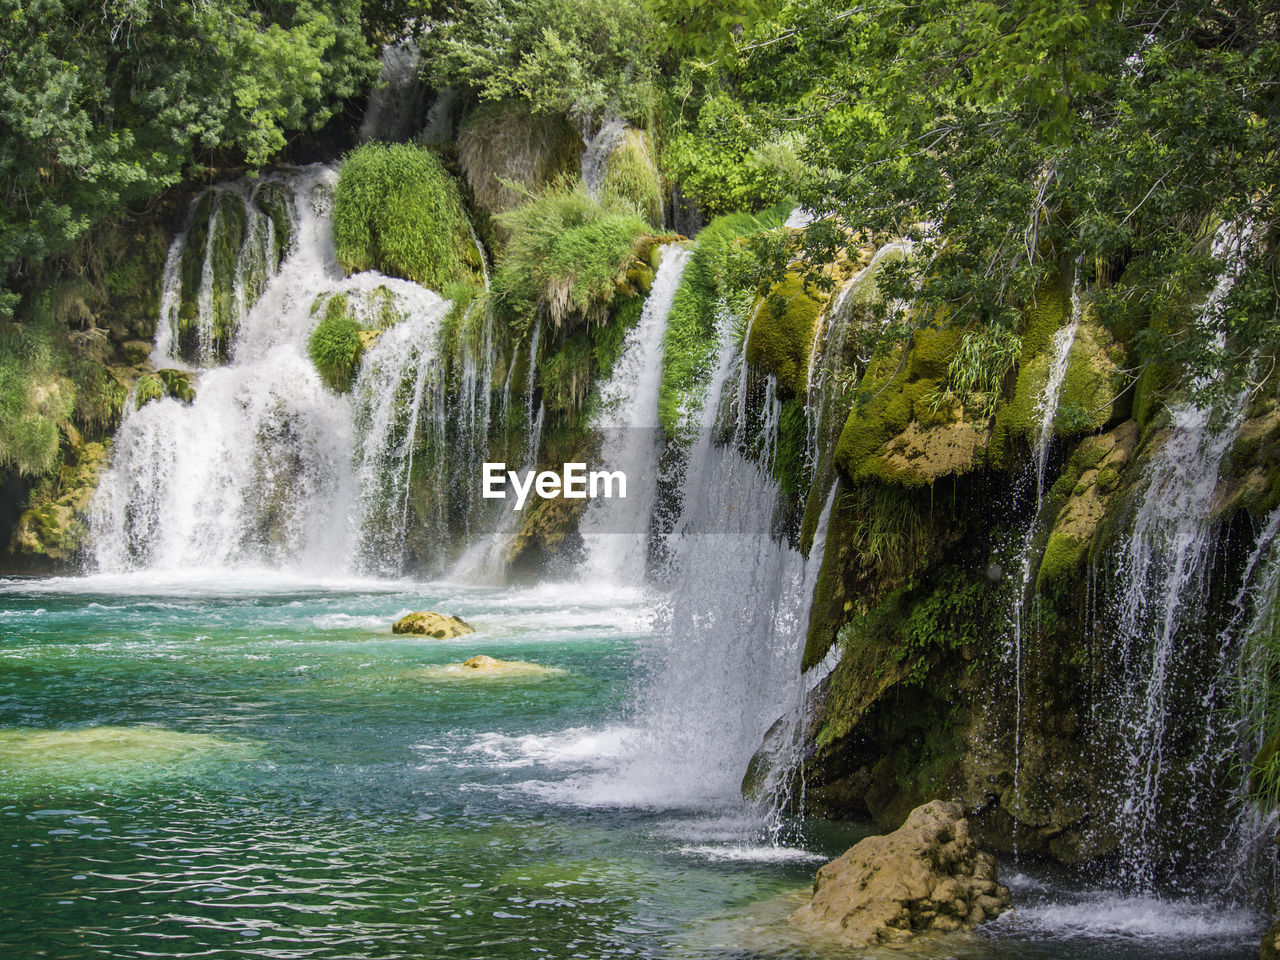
[[267, 467]]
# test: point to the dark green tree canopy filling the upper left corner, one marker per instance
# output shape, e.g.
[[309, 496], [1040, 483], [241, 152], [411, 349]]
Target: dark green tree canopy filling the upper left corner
[[107, 104]]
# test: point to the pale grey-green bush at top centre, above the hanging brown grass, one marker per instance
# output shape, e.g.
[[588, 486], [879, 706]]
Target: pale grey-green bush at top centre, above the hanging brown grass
[[578, 58]]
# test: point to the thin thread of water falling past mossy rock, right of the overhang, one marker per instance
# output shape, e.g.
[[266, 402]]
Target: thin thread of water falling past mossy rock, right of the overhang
[[1046, 413]]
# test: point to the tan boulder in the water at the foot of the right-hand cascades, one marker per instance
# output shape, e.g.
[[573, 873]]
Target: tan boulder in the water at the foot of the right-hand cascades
[[926, 876]]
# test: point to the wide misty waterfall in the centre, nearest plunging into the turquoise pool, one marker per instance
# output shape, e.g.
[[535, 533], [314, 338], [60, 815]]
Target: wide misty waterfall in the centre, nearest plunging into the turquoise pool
[[726, 653]]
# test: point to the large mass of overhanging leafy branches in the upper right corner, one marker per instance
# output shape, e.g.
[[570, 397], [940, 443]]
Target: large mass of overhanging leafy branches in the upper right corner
[[1009, 140]]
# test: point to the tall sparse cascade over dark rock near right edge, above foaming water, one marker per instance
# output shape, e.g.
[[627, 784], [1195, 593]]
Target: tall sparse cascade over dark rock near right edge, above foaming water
[[1163, 660]]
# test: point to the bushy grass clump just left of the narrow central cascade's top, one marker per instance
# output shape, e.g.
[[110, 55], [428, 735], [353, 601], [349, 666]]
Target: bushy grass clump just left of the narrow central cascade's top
[[566, 255]]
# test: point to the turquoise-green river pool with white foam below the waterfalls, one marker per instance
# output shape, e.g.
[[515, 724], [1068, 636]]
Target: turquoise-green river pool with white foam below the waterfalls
[[253, 766]]
